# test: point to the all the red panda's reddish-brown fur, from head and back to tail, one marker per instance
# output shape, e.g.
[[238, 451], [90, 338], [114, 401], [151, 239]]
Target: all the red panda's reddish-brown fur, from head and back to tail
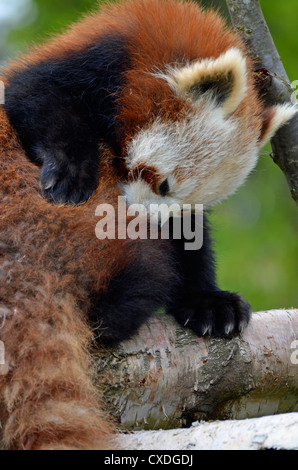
[[50, 258]]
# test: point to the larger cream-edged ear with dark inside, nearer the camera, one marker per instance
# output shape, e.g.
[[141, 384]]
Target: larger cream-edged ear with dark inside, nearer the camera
[[223, 78]]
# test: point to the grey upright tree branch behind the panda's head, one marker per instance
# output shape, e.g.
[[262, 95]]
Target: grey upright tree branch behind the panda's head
[[248, 20]]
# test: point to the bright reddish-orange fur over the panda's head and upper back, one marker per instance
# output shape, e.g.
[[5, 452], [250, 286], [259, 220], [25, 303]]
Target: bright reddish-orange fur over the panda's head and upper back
[[190, 34]]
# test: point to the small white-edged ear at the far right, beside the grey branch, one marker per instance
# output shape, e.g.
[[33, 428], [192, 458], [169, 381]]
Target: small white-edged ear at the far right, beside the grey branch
[[275, 117]]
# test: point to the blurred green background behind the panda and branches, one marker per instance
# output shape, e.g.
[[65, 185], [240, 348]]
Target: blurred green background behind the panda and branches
[[256, 229]]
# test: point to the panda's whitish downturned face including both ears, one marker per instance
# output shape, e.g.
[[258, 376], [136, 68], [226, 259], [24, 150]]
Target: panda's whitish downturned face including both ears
[[208, 154]]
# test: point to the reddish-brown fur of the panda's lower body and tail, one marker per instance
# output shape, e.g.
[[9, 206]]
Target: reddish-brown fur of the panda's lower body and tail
[[50, 260]]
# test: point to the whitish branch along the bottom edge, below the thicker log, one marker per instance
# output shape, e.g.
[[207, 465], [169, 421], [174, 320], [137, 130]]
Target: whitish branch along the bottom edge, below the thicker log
[[271, 432]]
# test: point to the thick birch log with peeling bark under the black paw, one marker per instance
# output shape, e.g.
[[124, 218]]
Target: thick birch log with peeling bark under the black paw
[[166, 376]]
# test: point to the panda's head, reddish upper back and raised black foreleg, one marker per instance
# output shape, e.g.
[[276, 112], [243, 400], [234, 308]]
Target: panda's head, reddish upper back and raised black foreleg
[[166, 84]]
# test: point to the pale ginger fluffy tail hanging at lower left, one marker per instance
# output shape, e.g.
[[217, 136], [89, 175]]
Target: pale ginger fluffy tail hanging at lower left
[[48, 396]]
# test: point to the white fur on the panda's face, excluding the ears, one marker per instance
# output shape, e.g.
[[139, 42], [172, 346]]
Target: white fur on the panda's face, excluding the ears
[[205, 157]]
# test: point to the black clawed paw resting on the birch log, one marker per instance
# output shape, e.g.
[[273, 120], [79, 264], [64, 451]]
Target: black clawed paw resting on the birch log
[[219, 313]]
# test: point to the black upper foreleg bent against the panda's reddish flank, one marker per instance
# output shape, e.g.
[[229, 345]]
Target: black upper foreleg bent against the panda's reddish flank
[[61, 110]]
